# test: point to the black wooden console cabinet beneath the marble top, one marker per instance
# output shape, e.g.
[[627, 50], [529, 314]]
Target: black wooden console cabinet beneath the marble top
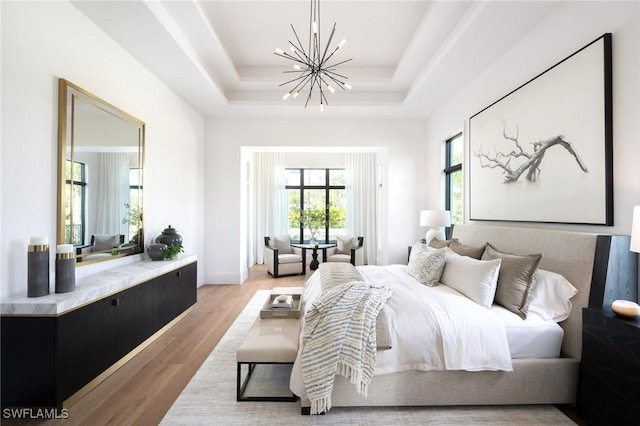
[[46, 359]]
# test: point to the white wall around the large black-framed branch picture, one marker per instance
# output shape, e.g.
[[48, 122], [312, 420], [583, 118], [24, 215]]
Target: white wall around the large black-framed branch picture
[[571, 26]]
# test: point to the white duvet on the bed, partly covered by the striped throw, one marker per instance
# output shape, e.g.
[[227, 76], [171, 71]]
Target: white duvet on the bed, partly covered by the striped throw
[[415, 346]]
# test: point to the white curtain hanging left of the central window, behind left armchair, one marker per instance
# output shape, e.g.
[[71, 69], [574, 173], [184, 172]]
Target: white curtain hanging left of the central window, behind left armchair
[[270, 199]]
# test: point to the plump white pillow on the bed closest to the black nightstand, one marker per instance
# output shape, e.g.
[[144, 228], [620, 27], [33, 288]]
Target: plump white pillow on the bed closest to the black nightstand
[[551, 295]]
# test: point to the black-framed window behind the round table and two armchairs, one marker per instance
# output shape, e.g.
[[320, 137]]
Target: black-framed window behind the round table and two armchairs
[[316, 204]]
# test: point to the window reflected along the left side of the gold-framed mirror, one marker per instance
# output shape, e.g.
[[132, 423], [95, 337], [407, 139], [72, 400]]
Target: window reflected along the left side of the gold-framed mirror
[[75, 188]]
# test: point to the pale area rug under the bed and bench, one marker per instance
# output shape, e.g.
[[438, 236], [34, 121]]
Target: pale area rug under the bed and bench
[[210, 397]]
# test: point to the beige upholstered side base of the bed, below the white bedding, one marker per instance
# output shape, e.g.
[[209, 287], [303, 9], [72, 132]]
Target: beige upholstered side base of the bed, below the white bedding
[[537, 381]]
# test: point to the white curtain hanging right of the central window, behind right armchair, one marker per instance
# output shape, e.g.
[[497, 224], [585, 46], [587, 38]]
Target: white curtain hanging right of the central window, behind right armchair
[[360, 168]]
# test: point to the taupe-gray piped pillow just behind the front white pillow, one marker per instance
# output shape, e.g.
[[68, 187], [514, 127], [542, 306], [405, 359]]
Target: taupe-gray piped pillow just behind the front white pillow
[[516, 279]]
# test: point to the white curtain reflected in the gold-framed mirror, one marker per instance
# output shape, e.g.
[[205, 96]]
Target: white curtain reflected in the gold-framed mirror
[[112, 184]]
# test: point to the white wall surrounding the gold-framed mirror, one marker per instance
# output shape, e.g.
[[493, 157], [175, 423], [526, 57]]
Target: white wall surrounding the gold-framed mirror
[[44, 41]]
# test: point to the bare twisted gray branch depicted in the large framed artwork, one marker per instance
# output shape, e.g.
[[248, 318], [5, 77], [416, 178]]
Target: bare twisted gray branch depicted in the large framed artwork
[[501, 160]]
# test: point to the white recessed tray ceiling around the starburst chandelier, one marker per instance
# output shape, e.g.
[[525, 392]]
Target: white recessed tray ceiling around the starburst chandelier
[[409, 57]]
